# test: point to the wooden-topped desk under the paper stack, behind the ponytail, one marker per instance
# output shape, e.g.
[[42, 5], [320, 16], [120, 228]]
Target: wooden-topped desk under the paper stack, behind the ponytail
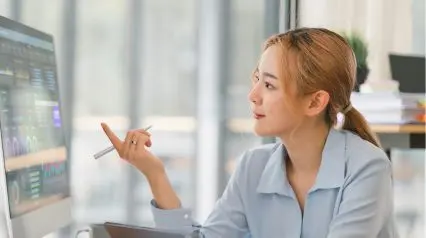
[[406, 136]]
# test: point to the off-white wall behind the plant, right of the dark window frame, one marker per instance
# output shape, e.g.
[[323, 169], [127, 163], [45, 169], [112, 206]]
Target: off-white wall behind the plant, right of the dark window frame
[[387, 25]]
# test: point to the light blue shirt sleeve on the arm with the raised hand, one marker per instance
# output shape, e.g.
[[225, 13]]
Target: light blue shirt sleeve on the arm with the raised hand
[[226, 220]]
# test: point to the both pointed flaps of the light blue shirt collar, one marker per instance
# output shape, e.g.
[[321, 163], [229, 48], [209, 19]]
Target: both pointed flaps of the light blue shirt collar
[[331, 173]]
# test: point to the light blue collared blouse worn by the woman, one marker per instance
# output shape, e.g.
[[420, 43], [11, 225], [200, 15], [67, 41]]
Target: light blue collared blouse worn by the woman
[[351, 197]]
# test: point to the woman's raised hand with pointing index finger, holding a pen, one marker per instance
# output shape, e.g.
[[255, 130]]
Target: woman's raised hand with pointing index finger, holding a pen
[[133, 150]]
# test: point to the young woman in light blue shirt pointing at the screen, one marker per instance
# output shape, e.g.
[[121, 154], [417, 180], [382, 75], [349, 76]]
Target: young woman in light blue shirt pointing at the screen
[[318, 181]]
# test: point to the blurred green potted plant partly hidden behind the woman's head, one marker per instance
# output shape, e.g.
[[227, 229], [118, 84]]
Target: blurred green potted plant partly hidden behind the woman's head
[[359, 46]]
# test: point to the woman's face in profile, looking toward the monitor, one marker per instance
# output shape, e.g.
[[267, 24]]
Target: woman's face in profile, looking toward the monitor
[[276, 111]]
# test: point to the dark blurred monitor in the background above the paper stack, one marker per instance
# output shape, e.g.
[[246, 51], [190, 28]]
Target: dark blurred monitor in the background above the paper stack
[[409, 71]]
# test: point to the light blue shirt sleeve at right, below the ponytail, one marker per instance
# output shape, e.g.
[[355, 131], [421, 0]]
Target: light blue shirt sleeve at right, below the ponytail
[[366, 204]]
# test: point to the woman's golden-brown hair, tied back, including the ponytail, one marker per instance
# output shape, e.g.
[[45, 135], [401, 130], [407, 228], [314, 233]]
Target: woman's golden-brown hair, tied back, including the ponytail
[[318, 59]]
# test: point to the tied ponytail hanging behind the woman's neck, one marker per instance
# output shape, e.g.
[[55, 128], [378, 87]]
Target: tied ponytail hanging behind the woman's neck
[[354, 121]]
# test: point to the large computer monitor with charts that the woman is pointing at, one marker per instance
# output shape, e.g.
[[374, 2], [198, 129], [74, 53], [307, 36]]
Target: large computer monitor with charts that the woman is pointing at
[[34, 168]]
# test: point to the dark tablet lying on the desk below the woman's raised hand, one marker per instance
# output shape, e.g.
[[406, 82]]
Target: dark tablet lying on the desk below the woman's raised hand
[[117, 230]]
